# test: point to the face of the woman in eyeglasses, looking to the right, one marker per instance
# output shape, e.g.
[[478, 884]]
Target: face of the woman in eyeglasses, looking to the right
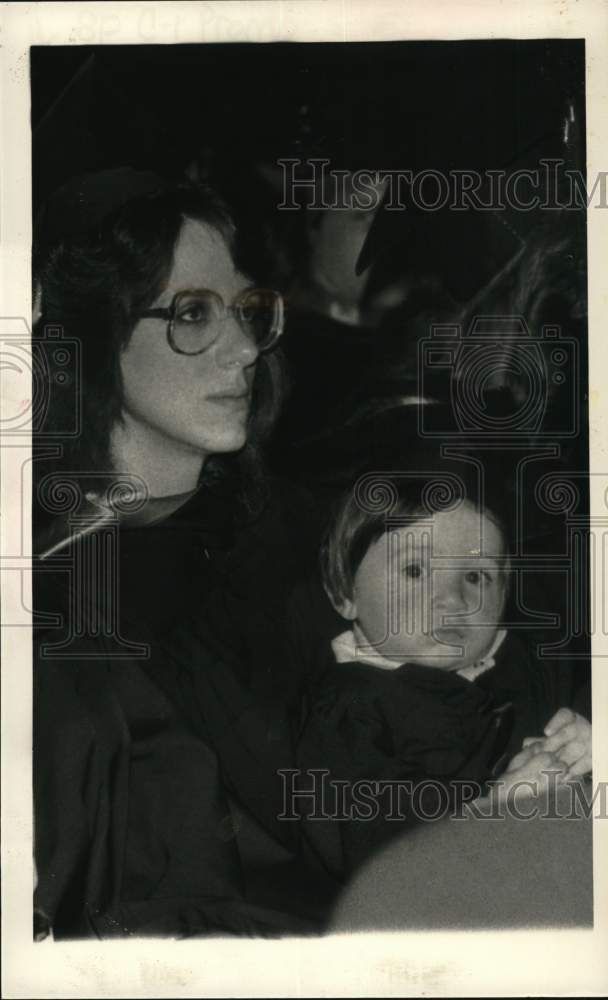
[[196, 403]]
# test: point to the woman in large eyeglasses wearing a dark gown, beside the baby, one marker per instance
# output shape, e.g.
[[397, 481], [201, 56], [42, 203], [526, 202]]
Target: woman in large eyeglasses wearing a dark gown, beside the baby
[[161, 714]]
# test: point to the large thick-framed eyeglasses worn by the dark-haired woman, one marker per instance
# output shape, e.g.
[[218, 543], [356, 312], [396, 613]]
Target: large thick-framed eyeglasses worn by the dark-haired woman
[[194, 319]]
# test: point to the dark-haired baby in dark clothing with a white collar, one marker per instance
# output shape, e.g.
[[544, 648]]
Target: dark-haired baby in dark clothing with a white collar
[[426, 683]]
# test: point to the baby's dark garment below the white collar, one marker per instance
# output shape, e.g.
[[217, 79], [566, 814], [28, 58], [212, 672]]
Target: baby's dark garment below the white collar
[[436, 736]]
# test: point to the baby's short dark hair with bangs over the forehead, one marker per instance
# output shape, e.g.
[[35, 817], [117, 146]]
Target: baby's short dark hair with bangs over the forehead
[[379, 501]]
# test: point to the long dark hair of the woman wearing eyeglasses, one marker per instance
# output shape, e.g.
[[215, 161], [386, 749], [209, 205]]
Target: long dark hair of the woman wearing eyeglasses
[[93, 283]]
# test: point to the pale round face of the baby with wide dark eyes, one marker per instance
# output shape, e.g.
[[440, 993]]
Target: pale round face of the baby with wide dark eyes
[[433, 592]]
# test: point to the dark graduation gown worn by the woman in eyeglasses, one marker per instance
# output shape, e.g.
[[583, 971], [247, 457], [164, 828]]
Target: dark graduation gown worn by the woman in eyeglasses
[[156, 753]]
